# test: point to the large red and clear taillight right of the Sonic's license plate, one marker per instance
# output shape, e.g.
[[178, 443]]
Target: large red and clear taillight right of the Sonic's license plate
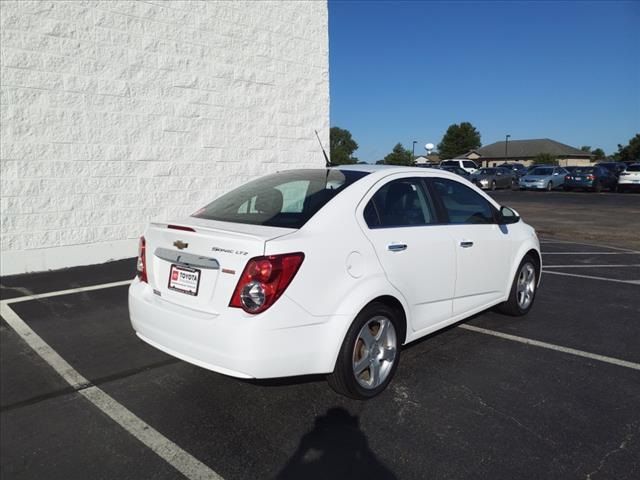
[[264, 280]]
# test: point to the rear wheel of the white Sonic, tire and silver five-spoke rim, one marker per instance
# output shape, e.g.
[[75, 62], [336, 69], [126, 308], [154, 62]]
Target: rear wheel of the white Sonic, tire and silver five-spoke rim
[[369, 354]]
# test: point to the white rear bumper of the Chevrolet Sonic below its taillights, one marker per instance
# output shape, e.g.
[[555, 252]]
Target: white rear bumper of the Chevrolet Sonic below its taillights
[[235, 343]]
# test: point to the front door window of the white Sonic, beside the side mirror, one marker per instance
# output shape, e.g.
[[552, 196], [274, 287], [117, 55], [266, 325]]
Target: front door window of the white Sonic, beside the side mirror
[[461, 204]]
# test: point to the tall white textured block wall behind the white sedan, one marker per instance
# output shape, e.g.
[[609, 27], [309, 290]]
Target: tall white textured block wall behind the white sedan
[[114, 113]]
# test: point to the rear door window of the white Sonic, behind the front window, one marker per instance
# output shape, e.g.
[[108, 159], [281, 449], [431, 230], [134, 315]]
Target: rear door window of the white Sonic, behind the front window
[[399, 203]]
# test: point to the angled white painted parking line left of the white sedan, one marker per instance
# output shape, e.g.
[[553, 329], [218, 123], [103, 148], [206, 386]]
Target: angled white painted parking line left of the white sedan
[[171, 453]]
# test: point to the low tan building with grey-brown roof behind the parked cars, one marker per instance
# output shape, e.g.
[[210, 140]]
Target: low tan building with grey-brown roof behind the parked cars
[[525, 151]]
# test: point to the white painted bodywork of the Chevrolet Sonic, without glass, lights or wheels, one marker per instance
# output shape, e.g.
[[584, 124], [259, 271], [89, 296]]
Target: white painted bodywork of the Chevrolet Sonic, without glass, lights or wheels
[[346, 266]]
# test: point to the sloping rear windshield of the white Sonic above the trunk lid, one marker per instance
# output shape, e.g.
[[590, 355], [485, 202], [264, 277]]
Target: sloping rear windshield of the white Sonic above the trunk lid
[[285, 199]]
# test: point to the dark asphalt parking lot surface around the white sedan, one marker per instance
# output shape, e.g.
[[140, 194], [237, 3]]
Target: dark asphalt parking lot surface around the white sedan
[[554, 394]]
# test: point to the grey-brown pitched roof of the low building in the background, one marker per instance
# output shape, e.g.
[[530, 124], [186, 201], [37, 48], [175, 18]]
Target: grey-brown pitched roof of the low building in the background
[[528, 148]]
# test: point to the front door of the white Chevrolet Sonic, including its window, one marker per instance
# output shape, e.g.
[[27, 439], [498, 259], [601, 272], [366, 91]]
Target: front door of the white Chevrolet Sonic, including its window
[[483, 248]]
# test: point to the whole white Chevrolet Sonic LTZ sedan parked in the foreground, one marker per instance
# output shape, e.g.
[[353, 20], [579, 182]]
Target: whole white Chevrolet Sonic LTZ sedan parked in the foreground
[[329, 271]]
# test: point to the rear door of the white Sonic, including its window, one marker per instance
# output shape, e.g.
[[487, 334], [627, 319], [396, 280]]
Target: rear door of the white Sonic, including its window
[[416, 253]]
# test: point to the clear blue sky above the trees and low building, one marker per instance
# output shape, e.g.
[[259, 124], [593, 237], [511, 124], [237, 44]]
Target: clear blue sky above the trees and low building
[[404, 71]]
